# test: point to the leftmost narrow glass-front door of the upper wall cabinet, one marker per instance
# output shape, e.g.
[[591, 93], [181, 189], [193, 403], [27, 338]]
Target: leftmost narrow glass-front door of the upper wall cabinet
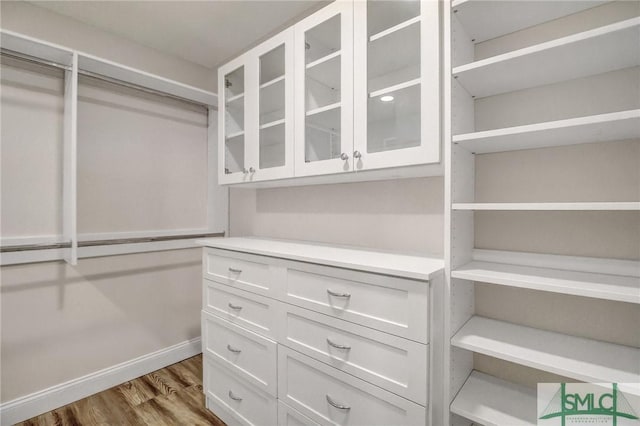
[[232, 138]]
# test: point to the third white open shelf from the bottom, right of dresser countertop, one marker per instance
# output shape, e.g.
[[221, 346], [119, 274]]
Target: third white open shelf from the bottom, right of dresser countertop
[[579, 283]]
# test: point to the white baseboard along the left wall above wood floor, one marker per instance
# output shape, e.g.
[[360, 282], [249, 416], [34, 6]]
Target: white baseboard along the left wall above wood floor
[[28, 406]]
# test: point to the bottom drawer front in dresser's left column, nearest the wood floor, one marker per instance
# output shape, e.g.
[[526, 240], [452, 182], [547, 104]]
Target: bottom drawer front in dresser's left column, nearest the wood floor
[[247, 404]]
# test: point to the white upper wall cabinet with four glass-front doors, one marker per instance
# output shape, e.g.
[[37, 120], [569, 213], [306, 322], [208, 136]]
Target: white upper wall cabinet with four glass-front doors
[[353, 87]]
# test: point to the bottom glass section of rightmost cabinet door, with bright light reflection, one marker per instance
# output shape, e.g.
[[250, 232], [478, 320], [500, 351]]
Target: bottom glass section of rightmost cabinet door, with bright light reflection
[[394, 123]]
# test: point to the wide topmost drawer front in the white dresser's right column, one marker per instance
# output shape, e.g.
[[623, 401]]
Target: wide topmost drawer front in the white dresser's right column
[[393, 305]]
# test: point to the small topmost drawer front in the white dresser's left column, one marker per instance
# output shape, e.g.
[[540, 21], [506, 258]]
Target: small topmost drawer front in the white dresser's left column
[[239, 270]]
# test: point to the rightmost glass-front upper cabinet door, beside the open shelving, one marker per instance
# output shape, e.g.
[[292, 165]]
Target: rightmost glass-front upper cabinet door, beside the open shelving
[[397, 93]]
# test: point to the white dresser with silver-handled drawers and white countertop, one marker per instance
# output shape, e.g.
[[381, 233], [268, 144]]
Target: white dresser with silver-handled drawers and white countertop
[[298, 333]]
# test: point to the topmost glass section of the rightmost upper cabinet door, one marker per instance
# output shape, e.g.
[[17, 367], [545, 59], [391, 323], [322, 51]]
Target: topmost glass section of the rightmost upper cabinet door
[[384, 14]]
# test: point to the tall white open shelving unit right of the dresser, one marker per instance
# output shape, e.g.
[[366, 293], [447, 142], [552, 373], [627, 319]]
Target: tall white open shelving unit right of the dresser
[[520, 59]]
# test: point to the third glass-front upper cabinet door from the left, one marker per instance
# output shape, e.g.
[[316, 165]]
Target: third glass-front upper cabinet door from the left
[[324, 91]]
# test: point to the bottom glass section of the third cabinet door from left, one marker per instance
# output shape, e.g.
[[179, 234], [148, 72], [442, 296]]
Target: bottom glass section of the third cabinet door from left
[[322, 136]]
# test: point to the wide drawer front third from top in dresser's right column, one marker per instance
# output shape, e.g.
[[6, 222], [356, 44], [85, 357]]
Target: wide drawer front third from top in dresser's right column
[[332, 397]]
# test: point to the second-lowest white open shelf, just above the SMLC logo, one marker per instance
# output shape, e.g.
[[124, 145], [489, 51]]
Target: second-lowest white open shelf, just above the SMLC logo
[[575, 357]]
